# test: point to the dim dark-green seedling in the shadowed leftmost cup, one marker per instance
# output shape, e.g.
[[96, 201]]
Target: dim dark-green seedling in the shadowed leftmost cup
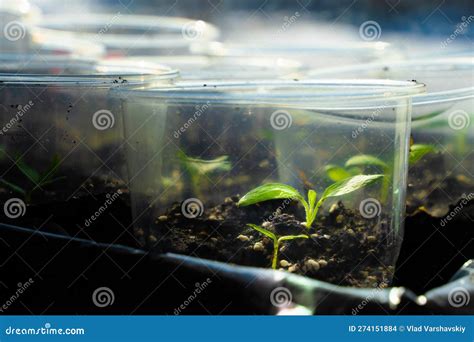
[[37, 179]]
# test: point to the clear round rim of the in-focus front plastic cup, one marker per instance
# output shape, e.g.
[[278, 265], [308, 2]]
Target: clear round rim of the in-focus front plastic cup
[[321, 93]]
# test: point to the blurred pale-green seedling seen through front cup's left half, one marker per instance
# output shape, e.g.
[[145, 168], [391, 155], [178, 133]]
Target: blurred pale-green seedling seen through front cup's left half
[[200, 170]]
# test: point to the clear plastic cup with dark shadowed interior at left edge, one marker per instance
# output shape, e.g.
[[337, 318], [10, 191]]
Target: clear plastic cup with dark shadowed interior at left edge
[[61, 136]]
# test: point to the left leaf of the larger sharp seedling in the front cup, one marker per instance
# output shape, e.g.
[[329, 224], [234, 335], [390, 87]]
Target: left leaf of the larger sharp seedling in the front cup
[[268, 192]]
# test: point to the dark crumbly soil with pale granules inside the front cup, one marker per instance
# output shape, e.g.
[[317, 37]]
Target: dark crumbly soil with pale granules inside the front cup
[[343, 248]]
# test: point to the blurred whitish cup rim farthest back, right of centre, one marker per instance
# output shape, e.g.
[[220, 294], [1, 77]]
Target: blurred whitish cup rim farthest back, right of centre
[[321, 54]]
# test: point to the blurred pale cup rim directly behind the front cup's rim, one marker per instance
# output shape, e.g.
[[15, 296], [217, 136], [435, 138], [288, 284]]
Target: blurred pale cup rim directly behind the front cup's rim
[[193, 67]]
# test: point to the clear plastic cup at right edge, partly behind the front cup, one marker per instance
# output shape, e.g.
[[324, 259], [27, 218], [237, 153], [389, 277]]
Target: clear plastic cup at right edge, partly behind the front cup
[[441, 173]]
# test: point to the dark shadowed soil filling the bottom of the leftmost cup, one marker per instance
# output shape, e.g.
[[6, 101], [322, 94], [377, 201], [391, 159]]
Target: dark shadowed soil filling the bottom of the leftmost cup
[[46, 212]]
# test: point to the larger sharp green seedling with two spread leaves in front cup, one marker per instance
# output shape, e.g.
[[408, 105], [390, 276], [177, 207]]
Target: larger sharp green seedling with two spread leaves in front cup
[[311, 206]]
